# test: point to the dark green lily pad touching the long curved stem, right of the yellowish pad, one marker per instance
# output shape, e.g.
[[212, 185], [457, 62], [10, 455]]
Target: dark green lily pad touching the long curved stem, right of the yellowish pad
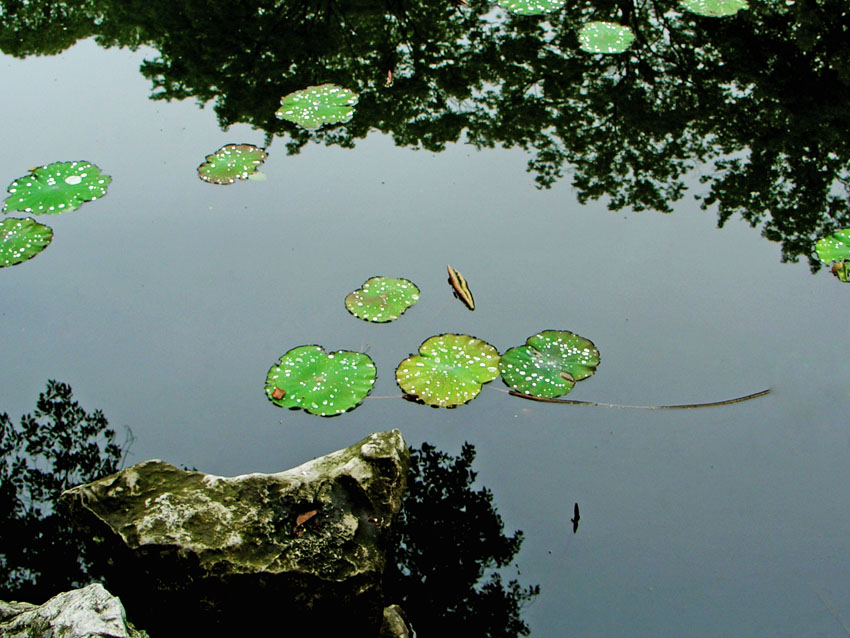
[[549, 364]]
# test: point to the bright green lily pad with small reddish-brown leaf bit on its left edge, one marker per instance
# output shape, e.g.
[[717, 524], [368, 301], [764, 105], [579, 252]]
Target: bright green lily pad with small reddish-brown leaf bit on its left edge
[[321, 383]]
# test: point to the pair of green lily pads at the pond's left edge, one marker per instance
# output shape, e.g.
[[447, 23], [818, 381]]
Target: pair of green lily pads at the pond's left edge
[[46, 190]]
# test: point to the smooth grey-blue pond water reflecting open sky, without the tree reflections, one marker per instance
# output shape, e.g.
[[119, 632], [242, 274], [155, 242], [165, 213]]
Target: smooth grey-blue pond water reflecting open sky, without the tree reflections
[[166, 302]]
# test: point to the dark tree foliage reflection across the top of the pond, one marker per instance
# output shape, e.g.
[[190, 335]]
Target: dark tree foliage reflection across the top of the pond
[[760, 97]]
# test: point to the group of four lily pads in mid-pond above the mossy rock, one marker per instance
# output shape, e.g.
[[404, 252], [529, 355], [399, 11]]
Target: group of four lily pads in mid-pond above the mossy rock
[[448, 370]]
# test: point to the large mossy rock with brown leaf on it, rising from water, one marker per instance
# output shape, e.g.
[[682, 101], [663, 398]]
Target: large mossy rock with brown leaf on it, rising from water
[[251, 553]]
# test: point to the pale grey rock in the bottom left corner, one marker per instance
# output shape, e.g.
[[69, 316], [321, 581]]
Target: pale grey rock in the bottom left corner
[[90, 612]]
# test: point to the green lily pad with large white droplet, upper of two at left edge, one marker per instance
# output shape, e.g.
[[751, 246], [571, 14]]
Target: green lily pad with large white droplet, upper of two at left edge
[[56, 187]]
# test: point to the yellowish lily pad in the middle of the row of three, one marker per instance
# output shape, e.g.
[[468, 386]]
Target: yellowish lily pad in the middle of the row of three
[[449, 370]]
